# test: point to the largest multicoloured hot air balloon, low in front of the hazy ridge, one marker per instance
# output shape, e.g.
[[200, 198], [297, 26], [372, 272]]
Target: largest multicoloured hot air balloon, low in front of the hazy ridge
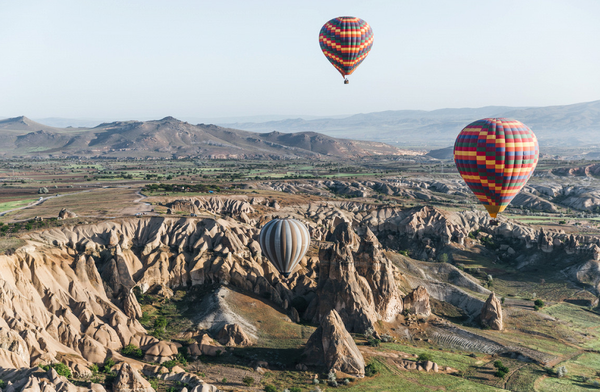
[[496, 157]]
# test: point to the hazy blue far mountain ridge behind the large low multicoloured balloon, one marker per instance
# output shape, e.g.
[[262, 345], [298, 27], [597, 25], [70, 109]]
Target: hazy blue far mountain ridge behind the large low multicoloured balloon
[[569, 125]]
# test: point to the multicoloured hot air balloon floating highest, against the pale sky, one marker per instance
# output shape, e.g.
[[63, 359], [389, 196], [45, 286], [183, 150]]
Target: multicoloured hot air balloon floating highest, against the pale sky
[[346, 42]]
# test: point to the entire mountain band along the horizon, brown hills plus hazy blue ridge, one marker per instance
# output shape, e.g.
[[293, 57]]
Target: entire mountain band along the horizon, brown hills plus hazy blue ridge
[[568, 126]]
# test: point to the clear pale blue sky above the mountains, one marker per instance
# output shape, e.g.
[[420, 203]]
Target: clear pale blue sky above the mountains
[[205, 59]]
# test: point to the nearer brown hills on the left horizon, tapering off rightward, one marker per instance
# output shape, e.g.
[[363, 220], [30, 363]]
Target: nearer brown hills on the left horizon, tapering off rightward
[[172, 138]]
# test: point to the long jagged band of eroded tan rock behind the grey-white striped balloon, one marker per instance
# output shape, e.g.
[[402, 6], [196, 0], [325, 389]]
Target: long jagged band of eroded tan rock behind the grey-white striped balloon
[[67, 295]]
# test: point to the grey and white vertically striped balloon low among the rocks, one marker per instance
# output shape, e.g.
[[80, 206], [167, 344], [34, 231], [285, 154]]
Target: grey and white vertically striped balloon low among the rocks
[[284, 242]]
